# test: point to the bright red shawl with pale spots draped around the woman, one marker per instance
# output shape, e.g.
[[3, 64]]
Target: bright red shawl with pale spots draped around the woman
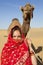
[[15, 53]]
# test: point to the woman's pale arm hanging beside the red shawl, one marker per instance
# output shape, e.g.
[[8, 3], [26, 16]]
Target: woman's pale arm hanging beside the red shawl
[[33, 58]]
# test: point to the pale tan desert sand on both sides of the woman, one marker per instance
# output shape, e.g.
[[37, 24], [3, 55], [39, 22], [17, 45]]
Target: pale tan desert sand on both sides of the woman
[[35, 34]]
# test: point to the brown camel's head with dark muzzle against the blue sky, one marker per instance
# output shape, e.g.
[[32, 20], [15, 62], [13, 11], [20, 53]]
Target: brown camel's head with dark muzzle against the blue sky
[[27, 11]]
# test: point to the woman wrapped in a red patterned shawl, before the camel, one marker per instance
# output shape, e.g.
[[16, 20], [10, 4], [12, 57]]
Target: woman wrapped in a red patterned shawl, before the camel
[[16, 51]]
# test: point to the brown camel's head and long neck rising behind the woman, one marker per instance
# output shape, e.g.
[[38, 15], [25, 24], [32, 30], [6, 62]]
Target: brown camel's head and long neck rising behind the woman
[[27, 11]]
